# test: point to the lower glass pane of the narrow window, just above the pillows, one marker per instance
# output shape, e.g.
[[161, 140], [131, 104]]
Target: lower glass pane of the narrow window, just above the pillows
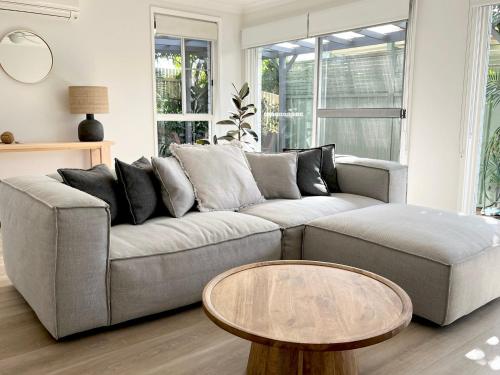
[[179, 132]]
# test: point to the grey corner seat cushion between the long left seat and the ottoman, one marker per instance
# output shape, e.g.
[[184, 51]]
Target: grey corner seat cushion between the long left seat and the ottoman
[[292, 215]]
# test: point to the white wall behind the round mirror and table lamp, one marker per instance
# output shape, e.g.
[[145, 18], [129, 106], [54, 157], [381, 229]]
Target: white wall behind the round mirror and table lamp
[[109, 45]]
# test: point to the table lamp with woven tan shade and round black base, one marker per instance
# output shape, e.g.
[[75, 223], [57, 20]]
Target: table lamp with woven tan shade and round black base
[[89, 100]]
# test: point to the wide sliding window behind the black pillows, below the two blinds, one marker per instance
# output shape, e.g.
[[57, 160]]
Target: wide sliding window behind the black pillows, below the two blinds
[[345, 88]]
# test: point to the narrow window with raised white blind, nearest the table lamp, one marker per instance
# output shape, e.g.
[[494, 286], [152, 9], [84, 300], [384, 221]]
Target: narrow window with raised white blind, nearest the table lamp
[[183, 80]]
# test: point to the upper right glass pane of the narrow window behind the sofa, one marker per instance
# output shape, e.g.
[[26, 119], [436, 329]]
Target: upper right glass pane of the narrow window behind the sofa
[[198, 76]]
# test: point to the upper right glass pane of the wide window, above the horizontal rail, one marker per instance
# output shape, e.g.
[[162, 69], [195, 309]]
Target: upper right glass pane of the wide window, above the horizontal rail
[[363, 68]]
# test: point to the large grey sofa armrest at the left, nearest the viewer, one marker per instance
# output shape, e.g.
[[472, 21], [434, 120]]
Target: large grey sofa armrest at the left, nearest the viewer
[[55, 247]]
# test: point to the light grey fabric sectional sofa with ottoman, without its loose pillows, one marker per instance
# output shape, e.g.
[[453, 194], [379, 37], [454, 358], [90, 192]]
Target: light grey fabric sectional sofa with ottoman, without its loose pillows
[[78, 273]]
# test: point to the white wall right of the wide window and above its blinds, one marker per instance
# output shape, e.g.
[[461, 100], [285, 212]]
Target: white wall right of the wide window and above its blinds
[[437, 91]]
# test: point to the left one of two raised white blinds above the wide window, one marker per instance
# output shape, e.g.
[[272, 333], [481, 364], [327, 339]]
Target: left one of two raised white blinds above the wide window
[[283, 30]]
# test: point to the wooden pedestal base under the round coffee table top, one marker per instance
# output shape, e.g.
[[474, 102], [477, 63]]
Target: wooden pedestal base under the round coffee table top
[[268, 360]]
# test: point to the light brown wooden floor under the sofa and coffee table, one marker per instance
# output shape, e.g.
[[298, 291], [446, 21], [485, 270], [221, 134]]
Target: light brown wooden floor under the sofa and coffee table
[[186, 342]]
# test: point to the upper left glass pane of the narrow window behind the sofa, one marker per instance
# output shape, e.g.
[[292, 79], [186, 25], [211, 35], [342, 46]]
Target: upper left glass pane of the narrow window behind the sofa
[[168, 70]]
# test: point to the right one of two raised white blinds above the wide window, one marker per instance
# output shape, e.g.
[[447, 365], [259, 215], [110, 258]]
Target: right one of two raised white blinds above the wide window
[[356, 15]]
